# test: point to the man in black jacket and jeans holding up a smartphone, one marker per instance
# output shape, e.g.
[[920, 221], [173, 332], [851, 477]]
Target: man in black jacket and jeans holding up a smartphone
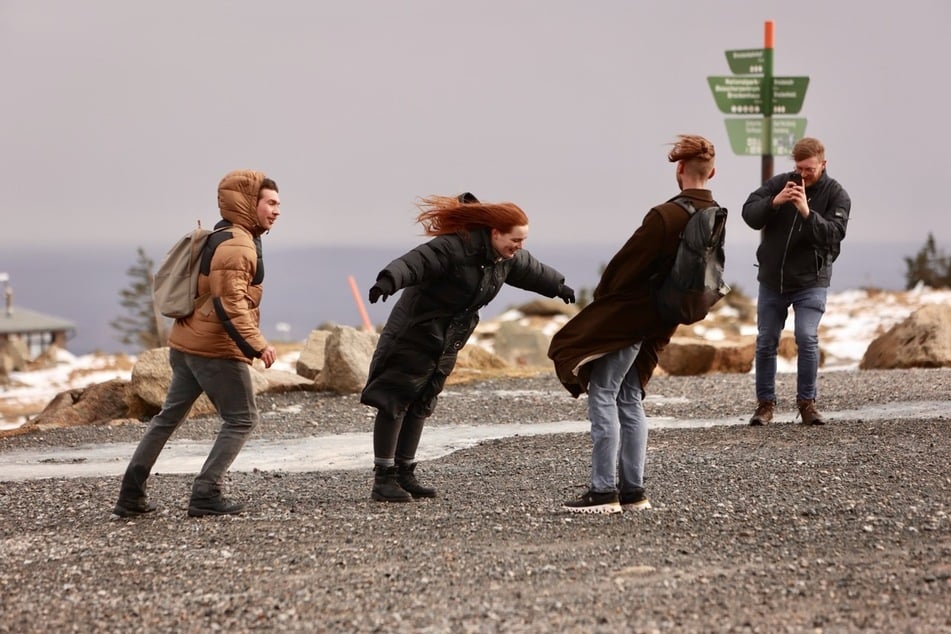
[[802, 218]]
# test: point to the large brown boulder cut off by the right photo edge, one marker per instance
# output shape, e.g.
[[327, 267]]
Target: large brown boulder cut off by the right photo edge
[[922, 340]]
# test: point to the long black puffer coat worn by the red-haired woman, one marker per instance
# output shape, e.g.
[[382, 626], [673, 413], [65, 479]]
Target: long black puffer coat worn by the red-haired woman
[[446, 281]]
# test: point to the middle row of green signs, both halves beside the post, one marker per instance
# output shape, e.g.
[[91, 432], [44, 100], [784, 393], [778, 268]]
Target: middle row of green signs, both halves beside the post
[[744, 95]]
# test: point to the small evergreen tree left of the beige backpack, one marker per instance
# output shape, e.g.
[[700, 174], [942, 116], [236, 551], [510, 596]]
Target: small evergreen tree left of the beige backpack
[[142, 325]]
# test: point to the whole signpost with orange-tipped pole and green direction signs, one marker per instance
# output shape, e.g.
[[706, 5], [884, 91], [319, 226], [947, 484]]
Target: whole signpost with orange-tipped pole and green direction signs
[[753, 90]]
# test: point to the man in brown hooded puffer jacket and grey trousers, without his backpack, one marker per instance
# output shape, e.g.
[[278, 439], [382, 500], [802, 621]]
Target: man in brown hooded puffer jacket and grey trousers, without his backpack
[[211, 350]]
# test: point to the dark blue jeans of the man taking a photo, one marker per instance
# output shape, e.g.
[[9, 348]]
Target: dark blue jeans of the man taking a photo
[[772, 308]]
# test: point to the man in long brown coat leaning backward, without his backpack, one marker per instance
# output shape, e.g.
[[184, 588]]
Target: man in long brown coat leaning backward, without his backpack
[[610, 348]]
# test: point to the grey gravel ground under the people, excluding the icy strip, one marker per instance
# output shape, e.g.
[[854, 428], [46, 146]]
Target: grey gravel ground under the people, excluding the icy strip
[[785, 528]]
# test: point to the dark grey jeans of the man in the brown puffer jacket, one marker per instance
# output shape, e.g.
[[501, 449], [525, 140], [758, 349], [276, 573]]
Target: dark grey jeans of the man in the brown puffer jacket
[[228, 385]]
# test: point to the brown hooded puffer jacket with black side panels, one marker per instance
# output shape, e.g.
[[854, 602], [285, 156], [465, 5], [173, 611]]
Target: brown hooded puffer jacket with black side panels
[[226, 325]]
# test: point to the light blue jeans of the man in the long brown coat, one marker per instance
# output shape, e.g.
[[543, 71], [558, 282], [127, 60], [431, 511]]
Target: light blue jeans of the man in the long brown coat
[[618, 423]]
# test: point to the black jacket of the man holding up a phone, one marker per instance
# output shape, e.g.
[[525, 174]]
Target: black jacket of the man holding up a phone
[[793, 253]]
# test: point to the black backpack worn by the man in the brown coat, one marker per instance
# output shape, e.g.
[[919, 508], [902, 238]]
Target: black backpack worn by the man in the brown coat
[[694, 282]]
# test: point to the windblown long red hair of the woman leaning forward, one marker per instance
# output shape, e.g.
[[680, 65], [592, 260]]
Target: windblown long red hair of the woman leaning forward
[[441, 215]]
